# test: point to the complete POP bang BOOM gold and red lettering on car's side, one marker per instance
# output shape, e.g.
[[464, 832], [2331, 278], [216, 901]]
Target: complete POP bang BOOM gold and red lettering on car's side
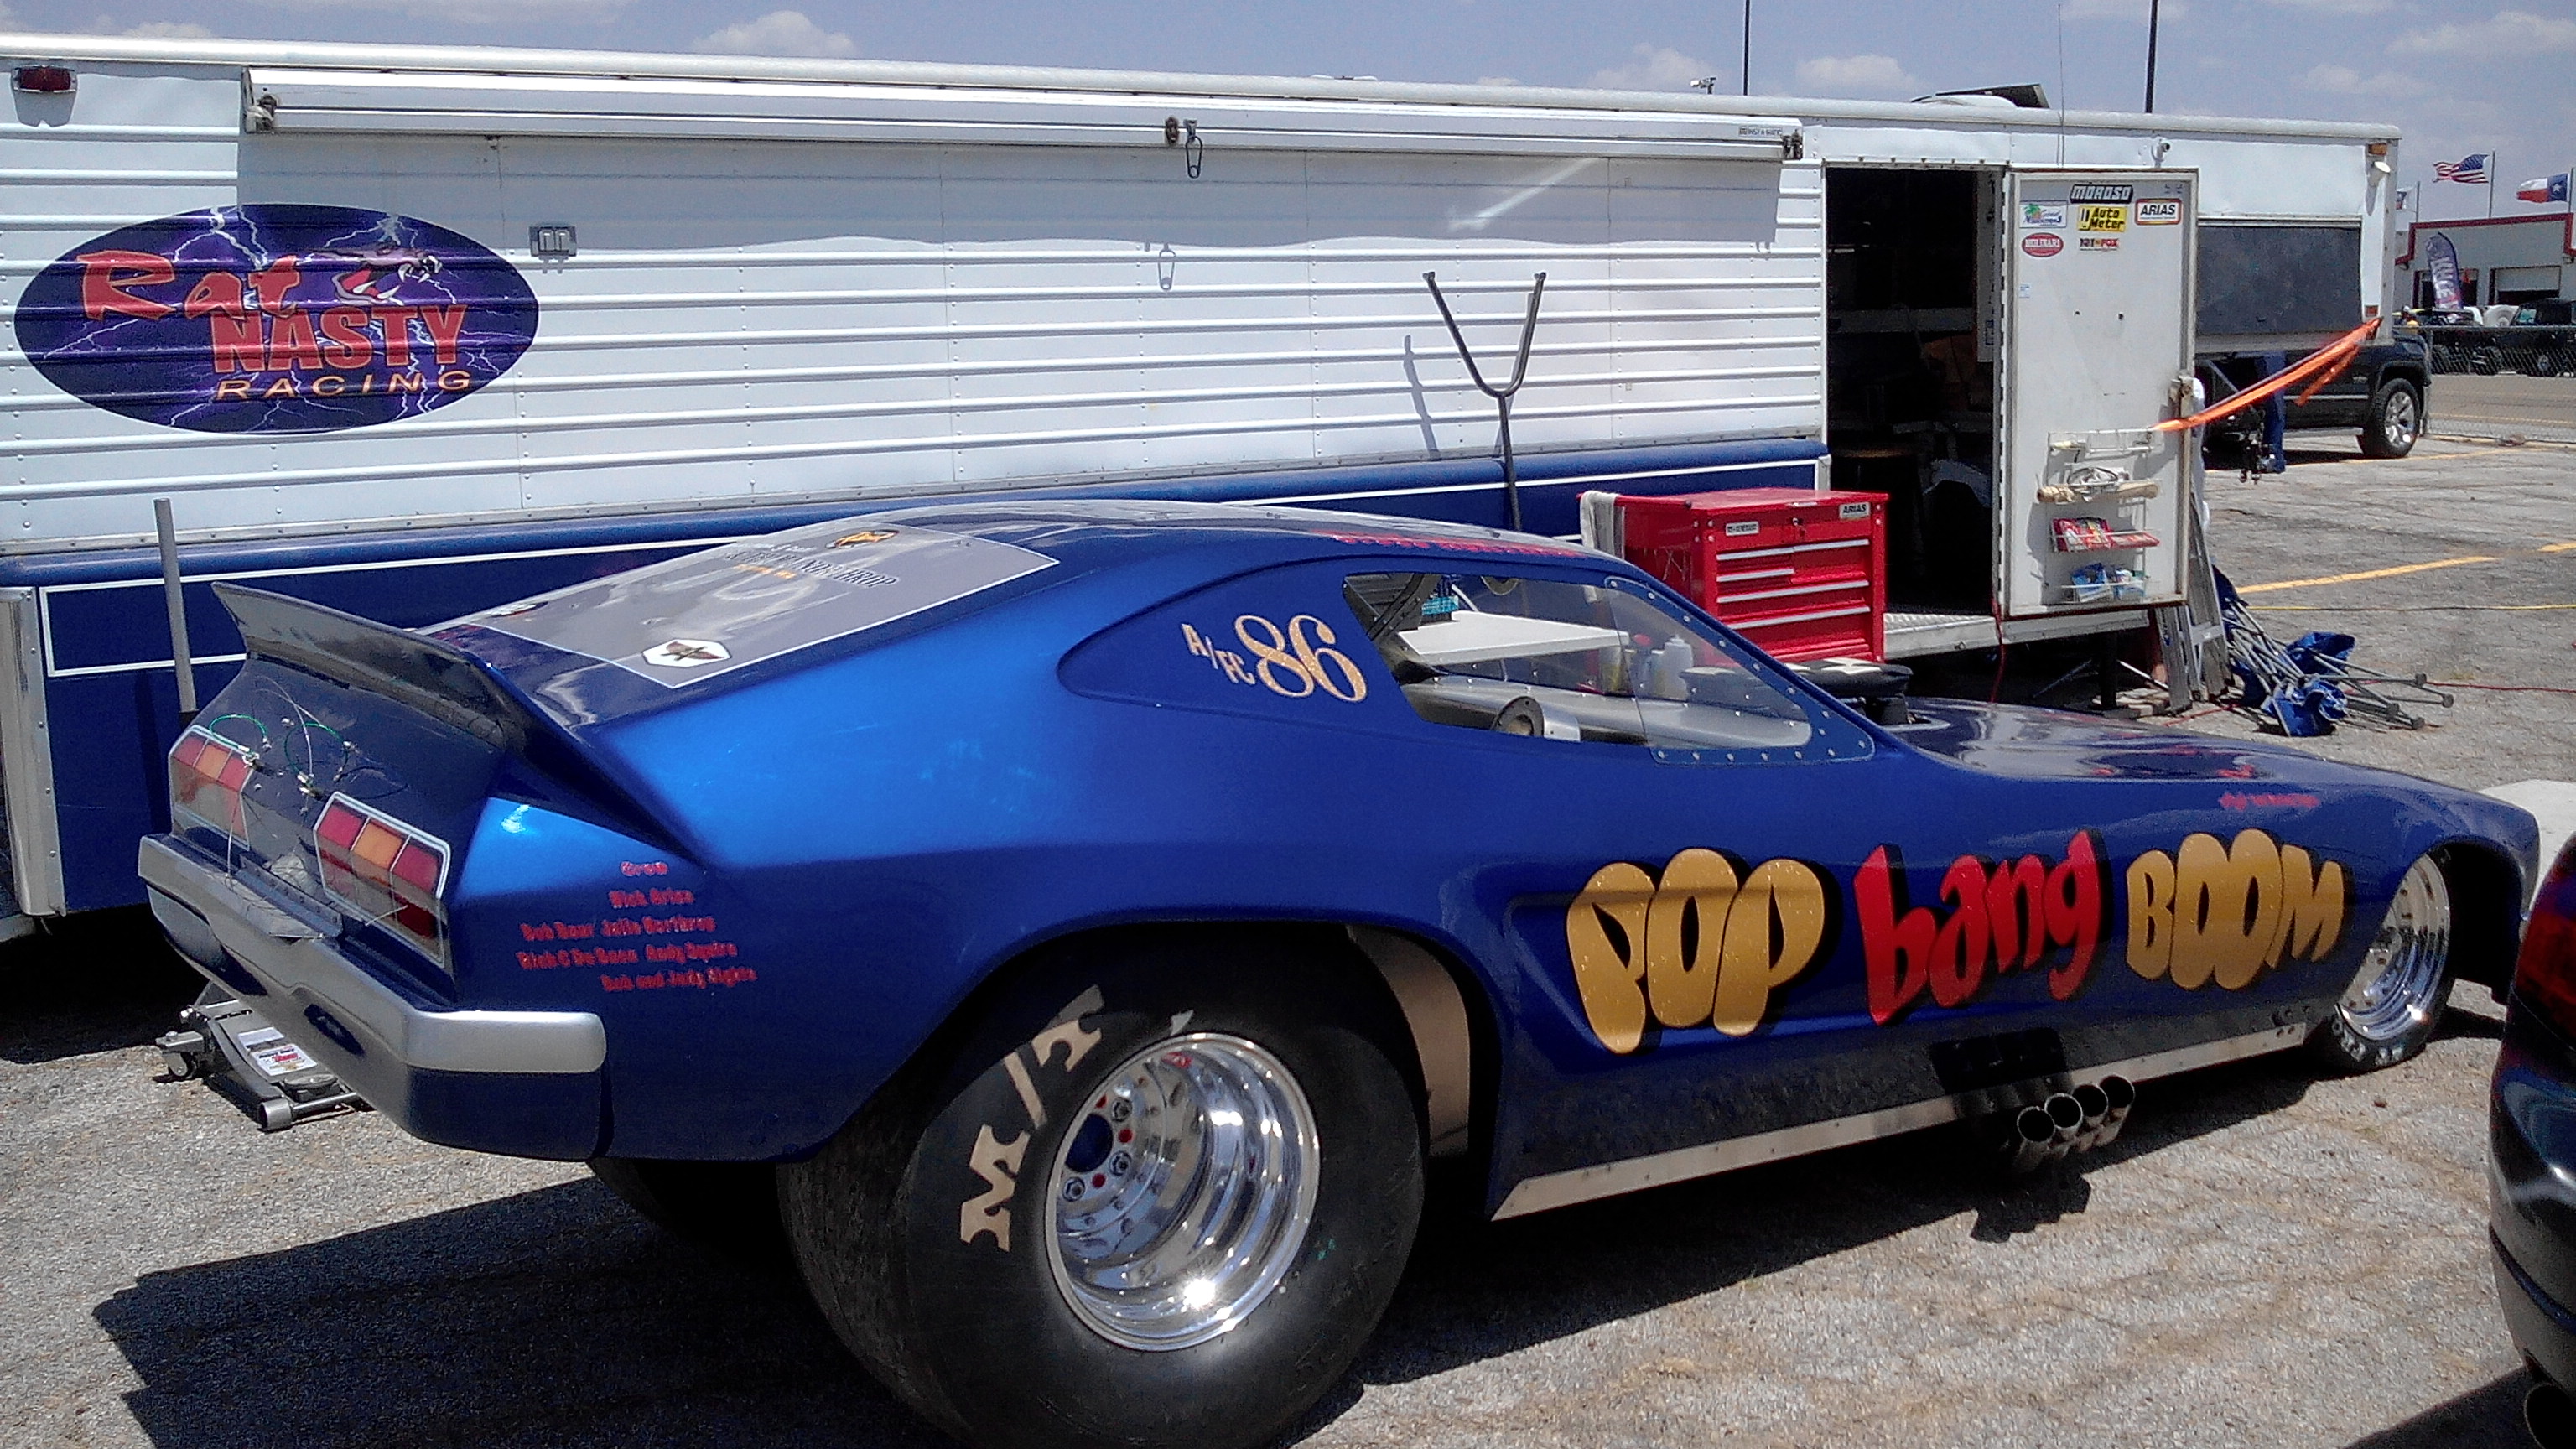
[[1712, 942]]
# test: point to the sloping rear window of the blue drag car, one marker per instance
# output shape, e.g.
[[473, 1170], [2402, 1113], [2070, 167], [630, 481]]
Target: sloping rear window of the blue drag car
[[723, 610]]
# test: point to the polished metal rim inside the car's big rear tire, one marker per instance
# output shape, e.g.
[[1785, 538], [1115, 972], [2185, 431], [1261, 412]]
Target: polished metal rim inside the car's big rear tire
[[1184, 1192]]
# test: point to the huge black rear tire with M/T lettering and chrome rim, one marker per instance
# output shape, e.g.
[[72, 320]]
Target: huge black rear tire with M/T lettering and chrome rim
[[1158, 1200]]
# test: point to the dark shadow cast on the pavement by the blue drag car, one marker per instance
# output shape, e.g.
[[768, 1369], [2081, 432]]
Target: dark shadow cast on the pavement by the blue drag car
[[558, 1319]]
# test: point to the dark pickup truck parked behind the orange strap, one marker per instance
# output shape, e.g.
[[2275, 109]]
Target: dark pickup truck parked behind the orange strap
[[2382, 398]]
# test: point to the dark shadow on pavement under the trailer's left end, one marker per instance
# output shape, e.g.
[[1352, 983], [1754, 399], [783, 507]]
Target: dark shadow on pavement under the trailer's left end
[[91, 984]]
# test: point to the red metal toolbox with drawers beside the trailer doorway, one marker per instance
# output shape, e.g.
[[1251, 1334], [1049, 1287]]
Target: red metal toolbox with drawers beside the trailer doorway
[[1797, 571]]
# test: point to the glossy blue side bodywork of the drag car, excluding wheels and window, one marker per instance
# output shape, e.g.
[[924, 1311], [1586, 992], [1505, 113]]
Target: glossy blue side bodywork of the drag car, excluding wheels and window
[[777, 886]]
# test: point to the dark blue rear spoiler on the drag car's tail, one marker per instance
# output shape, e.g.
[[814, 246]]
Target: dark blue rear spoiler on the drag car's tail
[[434, 679]]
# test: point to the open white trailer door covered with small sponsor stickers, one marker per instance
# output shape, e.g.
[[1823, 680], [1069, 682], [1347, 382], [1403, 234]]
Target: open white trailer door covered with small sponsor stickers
[[2098, 336]]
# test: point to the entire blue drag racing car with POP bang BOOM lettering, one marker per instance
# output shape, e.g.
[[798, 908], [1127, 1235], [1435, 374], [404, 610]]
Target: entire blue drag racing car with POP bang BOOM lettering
[[1083, 927]]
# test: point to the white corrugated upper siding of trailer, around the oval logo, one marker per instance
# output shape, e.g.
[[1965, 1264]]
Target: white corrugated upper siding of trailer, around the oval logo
[[753, 321]]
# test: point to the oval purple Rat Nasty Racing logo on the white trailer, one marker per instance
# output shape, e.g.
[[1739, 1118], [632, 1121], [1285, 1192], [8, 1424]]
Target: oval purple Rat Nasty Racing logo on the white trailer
[[277, 321]]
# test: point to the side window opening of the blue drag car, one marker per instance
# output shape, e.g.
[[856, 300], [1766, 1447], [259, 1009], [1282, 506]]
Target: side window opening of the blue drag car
[[1570, 661]]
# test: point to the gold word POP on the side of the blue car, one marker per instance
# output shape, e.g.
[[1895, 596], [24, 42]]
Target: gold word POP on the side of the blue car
[[1699, 948]]
